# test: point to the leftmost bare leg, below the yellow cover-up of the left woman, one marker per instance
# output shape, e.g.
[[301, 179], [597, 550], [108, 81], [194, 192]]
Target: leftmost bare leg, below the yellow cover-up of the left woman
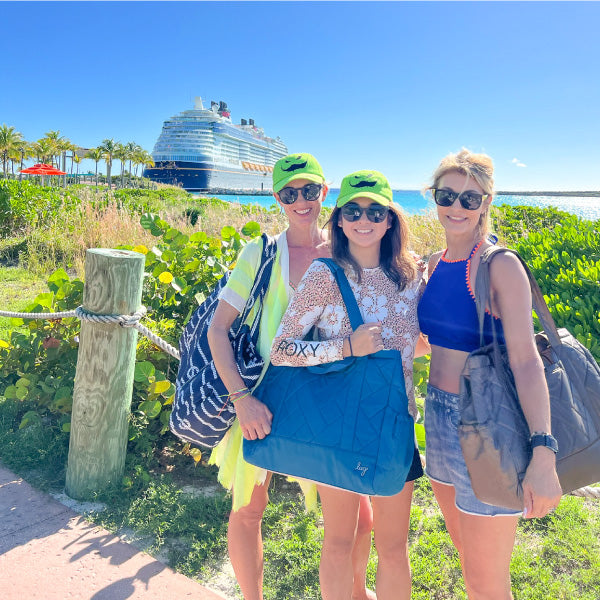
[[244, 539]]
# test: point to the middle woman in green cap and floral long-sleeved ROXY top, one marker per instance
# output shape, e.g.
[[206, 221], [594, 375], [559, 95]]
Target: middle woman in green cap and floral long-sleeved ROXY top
[[370, 240]]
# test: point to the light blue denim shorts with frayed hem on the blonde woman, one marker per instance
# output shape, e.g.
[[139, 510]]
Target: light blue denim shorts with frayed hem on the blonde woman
[[444, 461]]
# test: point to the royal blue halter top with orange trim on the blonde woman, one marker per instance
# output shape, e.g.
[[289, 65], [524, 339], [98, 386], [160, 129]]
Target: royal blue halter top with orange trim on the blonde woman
[[447, 310]]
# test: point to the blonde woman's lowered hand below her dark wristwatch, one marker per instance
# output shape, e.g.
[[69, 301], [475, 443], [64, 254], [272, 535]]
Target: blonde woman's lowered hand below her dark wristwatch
[[541, 488]]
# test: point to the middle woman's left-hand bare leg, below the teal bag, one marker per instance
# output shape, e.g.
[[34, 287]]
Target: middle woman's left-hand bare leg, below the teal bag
[[340, 516]]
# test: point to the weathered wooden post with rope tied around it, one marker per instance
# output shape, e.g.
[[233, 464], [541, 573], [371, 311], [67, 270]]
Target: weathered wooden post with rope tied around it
[[104, 376]]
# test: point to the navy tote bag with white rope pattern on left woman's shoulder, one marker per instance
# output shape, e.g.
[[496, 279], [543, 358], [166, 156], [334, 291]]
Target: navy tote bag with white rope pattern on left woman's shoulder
[[201, 412]]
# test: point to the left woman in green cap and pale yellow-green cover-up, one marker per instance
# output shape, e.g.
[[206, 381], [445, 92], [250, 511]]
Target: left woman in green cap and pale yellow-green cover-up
[[299, 188]]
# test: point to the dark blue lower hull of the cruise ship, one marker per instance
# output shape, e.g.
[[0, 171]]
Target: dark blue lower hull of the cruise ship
[[206, 177]]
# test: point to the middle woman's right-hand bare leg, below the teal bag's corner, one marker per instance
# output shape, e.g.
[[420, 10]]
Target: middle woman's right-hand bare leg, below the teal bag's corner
[[391, 517]]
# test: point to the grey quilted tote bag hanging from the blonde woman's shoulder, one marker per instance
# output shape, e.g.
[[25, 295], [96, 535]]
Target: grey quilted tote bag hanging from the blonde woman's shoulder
[[493, 433]]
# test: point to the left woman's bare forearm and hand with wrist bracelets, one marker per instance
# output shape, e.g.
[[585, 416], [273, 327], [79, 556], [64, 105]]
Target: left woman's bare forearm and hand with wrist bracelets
[[254, 416]]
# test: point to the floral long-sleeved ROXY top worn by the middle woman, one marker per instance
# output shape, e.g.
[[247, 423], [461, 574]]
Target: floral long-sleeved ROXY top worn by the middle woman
[[318, 304]]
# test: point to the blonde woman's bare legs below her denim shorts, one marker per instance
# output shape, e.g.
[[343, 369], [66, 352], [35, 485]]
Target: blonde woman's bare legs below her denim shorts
[[485, 546]]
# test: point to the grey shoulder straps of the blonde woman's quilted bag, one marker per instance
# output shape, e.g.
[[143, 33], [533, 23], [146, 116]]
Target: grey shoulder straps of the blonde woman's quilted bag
[[482, 294]]
